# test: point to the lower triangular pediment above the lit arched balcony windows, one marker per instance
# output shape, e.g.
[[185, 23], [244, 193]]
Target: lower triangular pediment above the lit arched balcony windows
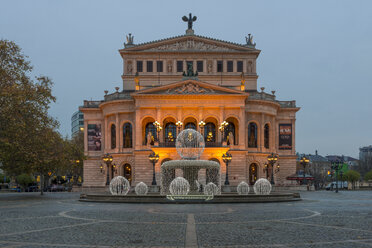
[[190, 87]]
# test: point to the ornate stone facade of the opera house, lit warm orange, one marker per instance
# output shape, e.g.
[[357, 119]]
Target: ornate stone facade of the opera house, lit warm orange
[[155, 89]]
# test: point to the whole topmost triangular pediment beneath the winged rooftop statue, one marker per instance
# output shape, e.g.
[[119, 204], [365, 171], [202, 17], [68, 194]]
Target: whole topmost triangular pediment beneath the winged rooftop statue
[[190, 43]]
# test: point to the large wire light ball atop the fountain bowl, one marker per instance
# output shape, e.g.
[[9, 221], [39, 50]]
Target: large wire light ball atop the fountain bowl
[[190, 144]]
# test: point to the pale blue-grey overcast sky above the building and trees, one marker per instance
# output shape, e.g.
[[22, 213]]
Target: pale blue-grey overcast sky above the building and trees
[[315, 52]]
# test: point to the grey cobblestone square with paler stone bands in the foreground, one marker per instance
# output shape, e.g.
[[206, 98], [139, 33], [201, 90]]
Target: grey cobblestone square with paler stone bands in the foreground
[[322, 219]]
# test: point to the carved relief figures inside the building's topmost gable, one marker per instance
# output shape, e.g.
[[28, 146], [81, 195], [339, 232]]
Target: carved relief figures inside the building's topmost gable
[[190, 45]]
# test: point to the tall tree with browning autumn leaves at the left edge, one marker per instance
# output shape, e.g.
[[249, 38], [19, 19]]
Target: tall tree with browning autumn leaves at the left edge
[[24, 105]]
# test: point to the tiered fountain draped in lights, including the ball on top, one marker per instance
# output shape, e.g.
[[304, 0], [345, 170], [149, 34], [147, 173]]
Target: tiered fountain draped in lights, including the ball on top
[[190, 145]]
